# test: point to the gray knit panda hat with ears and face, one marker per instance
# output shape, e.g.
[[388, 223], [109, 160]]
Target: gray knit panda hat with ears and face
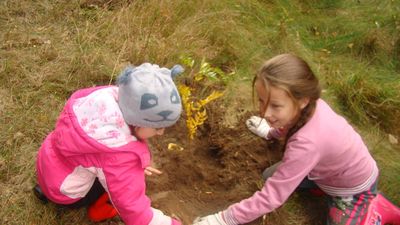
[[148, 97]]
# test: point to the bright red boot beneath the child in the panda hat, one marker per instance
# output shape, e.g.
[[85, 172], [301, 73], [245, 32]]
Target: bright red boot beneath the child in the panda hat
[[102, 209]]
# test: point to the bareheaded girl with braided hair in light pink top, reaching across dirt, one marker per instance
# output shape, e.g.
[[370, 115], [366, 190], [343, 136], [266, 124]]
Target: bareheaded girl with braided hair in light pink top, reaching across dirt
[[321, 149]]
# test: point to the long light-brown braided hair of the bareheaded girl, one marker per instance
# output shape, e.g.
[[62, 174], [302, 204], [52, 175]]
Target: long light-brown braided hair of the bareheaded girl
[[295, 76]]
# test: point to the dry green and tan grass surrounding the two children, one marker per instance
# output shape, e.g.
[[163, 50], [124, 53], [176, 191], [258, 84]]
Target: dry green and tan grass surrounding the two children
[[48, 49]]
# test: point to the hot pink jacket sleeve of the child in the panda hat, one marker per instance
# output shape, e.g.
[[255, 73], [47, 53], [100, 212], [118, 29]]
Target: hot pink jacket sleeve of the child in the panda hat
[[124, 175]]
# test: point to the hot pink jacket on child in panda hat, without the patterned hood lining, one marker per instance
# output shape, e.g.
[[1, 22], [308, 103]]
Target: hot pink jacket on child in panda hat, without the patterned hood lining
[[69, 161]]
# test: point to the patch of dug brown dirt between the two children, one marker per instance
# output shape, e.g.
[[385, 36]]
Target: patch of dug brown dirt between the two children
[[223, 165]]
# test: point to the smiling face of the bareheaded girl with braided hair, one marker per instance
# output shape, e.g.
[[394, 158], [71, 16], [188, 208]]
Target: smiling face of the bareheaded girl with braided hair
[[280, 111]]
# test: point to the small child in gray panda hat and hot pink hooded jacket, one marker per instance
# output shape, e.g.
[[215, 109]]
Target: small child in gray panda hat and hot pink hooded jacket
[[97, 155]]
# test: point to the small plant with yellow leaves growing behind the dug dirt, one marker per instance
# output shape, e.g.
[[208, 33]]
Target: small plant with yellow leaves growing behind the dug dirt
[[197, 80]]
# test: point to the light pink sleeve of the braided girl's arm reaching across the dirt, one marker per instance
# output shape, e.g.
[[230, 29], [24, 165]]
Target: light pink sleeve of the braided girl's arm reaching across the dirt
[[299, 159]]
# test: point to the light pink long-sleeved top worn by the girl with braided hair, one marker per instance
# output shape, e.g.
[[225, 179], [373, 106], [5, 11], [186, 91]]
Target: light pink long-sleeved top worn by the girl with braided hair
[[328, 151]]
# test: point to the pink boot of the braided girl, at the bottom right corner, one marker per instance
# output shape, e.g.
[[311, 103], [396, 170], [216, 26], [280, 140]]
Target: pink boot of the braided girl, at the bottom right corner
[[381, 211]]
